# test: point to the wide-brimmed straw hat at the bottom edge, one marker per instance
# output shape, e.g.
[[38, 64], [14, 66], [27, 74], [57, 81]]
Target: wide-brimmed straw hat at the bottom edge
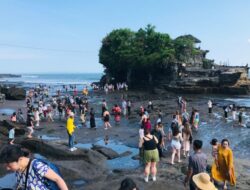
[[202, 181]]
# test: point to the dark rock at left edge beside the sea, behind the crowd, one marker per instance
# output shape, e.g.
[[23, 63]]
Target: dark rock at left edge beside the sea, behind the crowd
[[13, 93]]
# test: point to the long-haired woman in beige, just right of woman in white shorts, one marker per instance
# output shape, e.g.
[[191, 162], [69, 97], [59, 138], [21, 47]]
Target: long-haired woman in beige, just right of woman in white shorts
[[187, 136]]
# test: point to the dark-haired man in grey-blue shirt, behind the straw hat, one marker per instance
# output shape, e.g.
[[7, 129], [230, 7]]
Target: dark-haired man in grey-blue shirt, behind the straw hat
[[197, 164]]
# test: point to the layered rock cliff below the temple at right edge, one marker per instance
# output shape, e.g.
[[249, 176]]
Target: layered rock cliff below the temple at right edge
[[223, 80]]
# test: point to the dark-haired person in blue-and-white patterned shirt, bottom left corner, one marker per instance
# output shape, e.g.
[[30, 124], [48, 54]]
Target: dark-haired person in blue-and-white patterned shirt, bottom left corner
[[30, 174]]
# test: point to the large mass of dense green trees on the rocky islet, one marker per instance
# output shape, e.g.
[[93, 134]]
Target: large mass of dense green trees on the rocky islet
[[145, 56]]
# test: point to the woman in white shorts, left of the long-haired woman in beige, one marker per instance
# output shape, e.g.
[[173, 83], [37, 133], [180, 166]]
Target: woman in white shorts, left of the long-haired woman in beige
[[176, 144]]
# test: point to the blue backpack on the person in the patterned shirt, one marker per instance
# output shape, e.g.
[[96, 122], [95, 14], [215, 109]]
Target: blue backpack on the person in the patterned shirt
[[50, 184]]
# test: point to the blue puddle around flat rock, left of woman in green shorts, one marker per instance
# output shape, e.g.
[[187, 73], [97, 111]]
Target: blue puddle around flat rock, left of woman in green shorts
[[125, 162]]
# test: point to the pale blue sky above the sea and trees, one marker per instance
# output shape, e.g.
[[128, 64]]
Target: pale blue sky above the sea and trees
[[64, 36]]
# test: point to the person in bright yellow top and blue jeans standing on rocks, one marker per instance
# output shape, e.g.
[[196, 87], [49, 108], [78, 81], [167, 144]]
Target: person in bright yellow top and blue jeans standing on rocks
[[70, 130]]
